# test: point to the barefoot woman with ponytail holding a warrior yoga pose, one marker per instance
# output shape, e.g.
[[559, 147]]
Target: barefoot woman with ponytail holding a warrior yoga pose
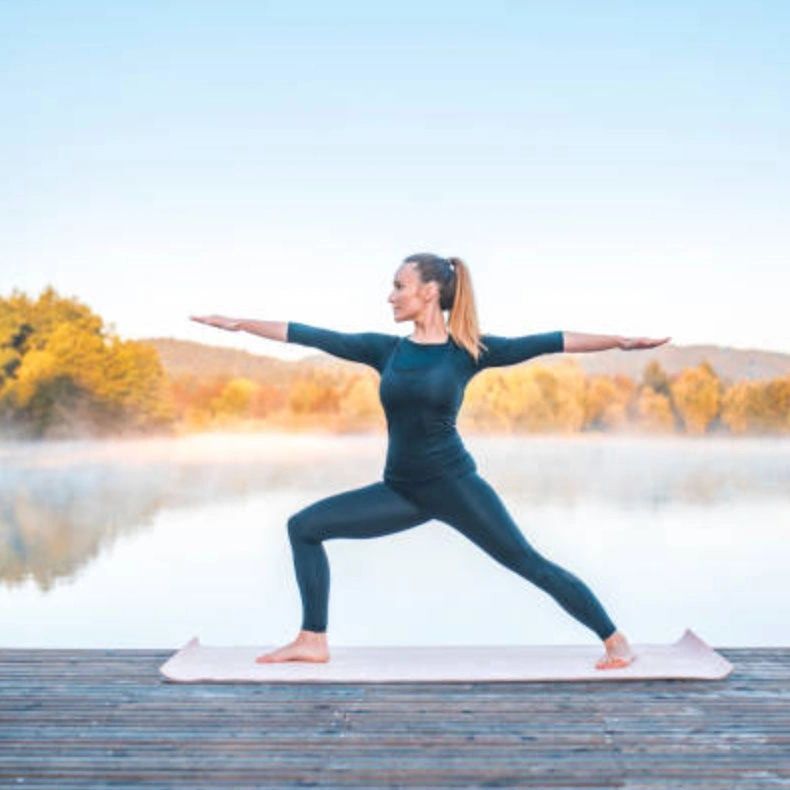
[[428, 473]]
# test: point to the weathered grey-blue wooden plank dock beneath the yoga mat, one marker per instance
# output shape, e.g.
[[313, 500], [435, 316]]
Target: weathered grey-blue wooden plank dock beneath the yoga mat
[[107, 718]]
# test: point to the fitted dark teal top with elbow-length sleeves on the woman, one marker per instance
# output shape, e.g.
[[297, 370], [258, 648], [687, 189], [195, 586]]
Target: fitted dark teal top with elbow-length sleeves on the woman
[[422, 388]]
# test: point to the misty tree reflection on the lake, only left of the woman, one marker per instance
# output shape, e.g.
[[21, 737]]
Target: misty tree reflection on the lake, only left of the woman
[[63, 503]]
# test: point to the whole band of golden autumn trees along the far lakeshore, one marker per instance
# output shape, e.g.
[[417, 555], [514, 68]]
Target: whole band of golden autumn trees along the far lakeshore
[[64, 374]]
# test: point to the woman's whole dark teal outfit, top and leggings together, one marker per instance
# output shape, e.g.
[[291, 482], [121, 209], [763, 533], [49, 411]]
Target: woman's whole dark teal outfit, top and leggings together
[[428, 474]]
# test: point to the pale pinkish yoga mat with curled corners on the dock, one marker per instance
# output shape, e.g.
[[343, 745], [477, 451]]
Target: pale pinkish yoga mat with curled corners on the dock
[[688, 657]]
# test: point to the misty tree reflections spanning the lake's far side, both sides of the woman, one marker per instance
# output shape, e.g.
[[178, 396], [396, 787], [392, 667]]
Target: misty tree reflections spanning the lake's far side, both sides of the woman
[[63, 503]]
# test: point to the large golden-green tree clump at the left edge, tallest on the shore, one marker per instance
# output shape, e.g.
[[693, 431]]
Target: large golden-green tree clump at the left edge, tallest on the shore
[[63, 373]]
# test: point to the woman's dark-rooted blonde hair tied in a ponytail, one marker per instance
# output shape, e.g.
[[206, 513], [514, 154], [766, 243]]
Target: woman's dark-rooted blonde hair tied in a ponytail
[[455, 294]]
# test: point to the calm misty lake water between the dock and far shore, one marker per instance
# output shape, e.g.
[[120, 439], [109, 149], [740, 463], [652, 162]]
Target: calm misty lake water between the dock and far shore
[[148, 543]]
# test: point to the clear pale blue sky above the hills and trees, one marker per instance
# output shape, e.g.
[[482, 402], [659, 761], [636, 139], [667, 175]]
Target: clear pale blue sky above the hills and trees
[[607, 167]]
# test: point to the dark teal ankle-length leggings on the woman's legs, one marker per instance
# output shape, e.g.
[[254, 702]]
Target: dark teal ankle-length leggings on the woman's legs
[[467, 503]]
